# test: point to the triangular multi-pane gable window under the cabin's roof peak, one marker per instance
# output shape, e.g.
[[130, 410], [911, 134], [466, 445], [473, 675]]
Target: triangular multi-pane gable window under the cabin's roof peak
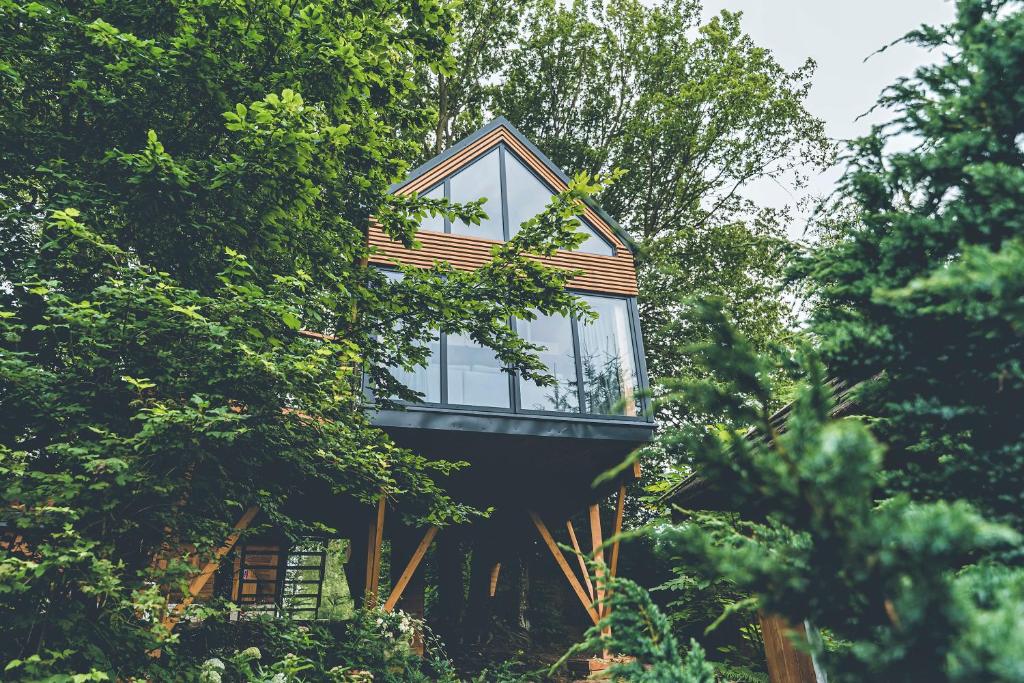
[[526, 196]]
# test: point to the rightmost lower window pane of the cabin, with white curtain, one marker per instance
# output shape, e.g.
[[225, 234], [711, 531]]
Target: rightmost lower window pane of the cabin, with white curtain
[[609, 364]]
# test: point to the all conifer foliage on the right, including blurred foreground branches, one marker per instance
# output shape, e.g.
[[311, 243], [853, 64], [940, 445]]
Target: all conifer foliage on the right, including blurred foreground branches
[[903, 546]]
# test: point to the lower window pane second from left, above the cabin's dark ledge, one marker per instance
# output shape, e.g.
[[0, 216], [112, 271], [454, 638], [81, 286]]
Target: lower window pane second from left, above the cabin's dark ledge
[[475, 375]]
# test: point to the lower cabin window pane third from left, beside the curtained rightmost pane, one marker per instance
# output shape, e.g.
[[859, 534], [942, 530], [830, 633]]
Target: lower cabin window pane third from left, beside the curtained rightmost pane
[[556, 334]]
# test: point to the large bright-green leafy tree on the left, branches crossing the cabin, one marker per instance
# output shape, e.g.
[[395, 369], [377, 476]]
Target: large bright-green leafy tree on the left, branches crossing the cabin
[[186, 190]]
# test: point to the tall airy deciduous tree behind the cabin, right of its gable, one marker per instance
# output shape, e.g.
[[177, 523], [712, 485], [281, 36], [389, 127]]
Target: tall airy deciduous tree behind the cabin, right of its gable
[[696, 113]]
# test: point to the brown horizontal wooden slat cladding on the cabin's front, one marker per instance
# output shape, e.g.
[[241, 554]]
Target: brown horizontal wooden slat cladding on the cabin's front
[[612, 275]]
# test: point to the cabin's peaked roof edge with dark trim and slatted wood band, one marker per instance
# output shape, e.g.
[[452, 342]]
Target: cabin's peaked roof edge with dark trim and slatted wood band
[[498, 131]]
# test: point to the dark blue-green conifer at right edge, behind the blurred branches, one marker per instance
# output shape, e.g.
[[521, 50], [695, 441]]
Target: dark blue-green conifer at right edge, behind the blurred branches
[[925, 289]]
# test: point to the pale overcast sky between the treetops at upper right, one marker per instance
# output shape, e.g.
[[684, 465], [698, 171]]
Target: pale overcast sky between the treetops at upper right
[[839, 35]]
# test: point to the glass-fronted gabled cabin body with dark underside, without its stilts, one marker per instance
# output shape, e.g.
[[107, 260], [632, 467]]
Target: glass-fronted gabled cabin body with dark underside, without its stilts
[[543, 443]]
